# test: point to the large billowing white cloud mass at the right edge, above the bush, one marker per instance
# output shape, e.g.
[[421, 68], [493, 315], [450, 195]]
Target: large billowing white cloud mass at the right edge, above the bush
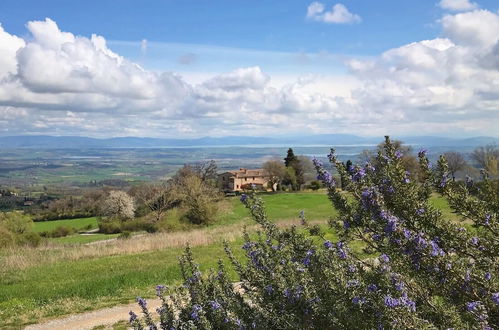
[[445, 80]]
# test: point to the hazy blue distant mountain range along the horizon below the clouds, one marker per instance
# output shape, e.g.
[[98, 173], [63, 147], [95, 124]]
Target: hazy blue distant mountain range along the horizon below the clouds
[[76, 142]]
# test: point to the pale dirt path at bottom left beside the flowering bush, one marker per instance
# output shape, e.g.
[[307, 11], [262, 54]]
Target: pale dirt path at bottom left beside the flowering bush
[[107, 316]]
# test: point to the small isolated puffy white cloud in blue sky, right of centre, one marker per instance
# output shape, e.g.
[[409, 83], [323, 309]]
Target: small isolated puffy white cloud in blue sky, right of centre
[[339, 14]]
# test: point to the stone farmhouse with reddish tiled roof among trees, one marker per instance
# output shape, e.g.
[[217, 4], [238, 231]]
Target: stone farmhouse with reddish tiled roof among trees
[[242, 179]]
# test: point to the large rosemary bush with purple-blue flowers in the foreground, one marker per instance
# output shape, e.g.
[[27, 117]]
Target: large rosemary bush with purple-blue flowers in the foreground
[[425, 271]]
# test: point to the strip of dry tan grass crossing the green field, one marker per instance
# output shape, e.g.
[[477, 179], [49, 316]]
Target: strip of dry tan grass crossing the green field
[[22, 258]]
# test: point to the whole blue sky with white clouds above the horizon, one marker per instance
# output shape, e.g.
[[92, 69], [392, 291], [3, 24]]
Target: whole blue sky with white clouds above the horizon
[[192, 68]]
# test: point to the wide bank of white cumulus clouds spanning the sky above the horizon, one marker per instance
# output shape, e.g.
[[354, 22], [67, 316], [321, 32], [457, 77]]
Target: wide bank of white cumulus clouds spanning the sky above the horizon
[[57, 82]]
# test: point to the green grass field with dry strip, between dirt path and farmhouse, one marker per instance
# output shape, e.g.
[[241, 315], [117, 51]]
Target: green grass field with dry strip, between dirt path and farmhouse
[[55, 280]]
